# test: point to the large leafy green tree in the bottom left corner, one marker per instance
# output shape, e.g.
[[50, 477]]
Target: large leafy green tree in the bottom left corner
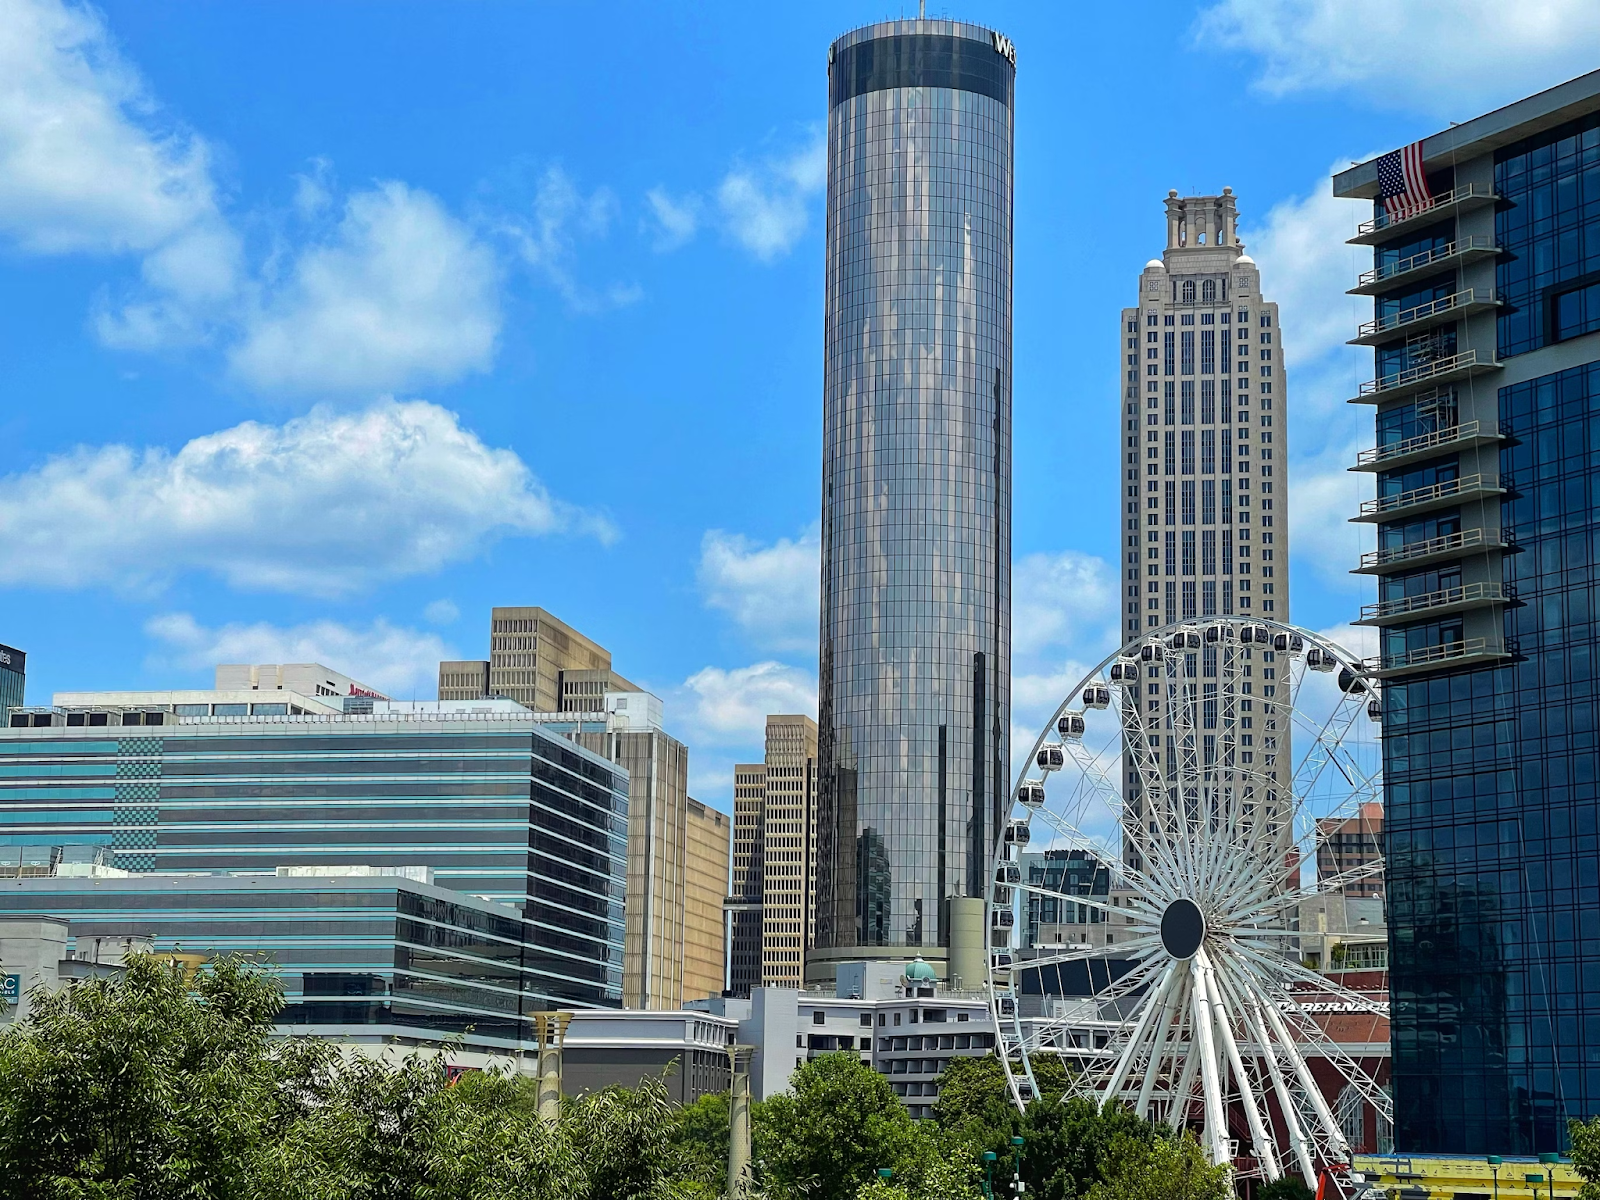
[[151, 1084]]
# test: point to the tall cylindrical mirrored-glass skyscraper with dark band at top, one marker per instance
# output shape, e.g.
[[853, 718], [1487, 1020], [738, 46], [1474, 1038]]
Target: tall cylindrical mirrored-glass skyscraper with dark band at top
[[916, 639]]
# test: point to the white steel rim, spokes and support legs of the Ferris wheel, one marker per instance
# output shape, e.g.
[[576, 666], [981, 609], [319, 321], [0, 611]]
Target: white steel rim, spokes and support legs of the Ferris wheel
[[1223, 1014]]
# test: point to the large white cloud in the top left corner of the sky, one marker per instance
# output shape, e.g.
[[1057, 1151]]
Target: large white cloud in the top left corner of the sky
[[89, 164]]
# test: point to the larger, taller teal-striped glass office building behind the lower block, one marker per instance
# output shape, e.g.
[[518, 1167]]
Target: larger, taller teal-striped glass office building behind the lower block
[[494, 806]]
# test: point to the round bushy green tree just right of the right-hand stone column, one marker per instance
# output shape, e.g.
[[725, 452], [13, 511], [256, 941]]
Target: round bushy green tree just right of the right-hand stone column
[[833, 1130]]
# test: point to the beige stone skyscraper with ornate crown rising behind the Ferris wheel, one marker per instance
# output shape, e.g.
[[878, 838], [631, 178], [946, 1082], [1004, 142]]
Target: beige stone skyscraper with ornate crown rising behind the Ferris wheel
[[1206, 490]]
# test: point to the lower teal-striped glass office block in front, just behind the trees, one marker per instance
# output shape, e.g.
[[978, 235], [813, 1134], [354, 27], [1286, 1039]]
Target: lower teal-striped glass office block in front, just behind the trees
[[367, 958]]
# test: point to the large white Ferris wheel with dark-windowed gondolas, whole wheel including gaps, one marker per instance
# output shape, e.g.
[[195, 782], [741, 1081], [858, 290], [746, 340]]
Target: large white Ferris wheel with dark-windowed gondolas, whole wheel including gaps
[[1164, 834]]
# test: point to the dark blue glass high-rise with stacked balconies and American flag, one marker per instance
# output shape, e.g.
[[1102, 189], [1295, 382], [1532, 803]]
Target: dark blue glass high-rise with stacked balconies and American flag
[[1487, 390]]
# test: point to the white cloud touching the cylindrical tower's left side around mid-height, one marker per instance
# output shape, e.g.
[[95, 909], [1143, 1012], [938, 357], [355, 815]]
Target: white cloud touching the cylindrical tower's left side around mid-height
[[770, 591]]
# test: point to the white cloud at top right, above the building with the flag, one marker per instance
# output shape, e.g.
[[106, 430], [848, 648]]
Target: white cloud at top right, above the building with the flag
[[1449, 58]]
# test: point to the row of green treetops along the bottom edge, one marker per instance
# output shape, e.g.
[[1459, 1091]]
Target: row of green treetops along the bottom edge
[[166, 1084]]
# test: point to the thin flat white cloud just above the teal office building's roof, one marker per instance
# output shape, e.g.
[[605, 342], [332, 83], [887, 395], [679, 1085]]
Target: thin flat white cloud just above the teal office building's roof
[[402, 663]]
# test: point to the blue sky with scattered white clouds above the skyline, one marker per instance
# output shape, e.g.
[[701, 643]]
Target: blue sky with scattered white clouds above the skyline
[[327, 327]]
